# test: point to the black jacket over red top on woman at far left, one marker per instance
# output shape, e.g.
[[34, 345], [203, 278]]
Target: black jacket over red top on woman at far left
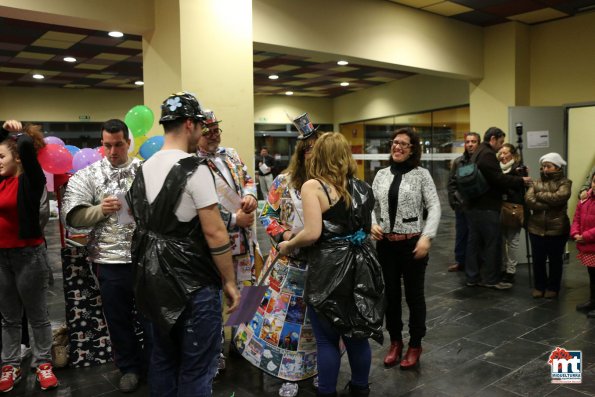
[[31, 185]]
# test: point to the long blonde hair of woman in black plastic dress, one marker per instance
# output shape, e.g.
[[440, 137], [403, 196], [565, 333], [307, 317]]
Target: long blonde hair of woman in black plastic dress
[[333, 163]]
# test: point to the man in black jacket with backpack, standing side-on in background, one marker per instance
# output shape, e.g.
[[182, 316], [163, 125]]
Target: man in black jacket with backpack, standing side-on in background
[[483, 214]]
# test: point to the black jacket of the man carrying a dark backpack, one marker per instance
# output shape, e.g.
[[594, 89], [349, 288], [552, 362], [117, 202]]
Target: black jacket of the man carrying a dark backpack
[[499, 183]]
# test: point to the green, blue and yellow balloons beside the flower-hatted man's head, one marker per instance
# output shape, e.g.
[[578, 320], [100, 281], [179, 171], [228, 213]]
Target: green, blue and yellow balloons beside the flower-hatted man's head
[[139, 120]]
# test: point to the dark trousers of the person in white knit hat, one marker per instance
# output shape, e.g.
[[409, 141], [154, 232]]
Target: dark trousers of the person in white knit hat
[[547, 249]]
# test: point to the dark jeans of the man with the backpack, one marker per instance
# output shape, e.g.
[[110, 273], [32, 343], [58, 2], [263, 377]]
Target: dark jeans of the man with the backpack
[[484, 241]]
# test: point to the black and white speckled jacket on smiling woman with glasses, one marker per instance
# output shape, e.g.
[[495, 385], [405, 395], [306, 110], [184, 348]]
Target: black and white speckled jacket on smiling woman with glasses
[[417, 190]]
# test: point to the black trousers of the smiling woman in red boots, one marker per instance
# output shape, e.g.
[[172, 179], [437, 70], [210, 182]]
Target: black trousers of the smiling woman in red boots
[[396, 259]]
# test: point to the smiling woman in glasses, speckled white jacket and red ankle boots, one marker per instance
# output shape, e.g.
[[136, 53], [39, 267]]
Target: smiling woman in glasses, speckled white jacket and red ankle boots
[[402, 191]]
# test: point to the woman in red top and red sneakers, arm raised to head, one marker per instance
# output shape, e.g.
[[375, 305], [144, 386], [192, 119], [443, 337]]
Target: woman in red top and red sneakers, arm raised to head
[[23, 268]]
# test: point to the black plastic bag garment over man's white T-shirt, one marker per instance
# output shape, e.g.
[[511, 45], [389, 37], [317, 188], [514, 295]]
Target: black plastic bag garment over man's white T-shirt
[[172, 259]]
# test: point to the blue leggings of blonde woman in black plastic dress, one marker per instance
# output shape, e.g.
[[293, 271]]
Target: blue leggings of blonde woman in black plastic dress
[[329, 355]]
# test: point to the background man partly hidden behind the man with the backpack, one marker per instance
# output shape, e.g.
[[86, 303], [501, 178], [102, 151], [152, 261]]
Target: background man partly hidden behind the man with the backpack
[[455, 200]]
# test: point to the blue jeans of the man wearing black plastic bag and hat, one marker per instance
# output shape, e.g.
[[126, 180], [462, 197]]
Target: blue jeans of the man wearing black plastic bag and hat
[[184, 362]]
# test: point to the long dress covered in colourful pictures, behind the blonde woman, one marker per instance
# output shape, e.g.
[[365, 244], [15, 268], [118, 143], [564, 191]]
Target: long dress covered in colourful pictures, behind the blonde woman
[[279, 339]]
